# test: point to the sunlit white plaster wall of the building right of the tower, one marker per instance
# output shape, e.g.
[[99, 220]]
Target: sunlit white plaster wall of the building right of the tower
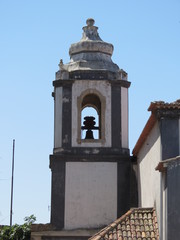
[[149, 179]]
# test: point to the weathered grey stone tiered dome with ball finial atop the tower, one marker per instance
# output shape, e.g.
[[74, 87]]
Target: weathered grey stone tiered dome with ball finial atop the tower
[[91, 53]]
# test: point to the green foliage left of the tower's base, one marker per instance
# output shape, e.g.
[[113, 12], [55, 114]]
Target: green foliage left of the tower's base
[[18, 232]]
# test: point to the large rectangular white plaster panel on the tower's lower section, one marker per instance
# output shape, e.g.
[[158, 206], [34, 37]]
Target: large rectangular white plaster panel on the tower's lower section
[[90, 194]]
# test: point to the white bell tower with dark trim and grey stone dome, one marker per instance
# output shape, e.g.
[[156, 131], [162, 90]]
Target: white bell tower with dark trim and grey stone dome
[[90, 163]]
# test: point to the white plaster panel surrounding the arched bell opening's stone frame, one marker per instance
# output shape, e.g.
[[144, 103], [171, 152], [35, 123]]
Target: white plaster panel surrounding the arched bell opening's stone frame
[[105, 89]]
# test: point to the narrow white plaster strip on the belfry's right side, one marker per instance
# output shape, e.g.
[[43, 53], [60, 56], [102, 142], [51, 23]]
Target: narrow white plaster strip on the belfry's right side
[[124, 117]]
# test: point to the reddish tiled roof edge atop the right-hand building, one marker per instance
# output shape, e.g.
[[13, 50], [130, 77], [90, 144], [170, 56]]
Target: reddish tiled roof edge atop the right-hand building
[[163, 105]]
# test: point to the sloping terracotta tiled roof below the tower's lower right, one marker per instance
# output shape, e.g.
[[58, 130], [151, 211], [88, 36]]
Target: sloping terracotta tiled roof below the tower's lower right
[[136, 224]]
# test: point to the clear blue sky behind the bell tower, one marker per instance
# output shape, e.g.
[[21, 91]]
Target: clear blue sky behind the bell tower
[[34, 36]]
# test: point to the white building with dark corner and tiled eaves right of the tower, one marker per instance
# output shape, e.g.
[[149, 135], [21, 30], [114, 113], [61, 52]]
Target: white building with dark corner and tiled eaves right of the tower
[[157, 151]]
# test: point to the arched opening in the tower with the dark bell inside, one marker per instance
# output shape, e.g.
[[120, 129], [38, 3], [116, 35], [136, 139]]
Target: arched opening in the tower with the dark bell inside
[[91, 117]]
